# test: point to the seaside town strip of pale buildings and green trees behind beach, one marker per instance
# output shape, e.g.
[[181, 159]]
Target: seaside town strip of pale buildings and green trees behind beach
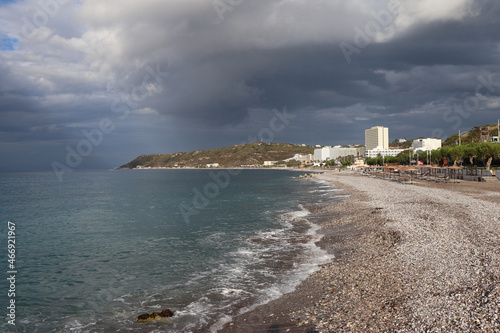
[[402, 159]]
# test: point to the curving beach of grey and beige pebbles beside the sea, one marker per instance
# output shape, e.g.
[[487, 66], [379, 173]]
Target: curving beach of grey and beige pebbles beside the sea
[[408, 258]]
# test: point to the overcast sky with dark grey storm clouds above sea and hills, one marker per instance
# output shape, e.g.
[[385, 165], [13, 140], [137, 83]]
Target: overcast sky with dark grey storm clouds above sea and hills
[[108, 80]]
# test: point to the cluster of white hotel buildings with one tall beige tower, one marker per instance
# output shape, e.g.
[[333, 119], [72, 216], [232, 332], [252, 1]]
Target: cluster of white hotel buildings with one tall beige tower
[[376, 144]]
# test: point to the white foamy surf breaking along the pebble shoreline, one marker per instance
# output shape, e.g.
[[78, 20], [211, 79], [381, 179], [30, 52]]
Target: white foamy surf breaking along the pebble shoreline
[[245, 276]]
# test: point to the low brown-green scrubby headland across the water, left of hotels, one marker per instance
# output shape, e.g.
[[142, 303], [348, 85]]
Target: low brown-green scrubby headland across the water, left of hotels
[[234, 156]]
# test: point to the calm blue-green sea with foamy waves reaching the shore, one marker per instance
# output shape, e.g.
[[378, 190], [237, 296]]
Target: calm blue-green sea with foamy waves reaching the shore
[[96, 250]]
